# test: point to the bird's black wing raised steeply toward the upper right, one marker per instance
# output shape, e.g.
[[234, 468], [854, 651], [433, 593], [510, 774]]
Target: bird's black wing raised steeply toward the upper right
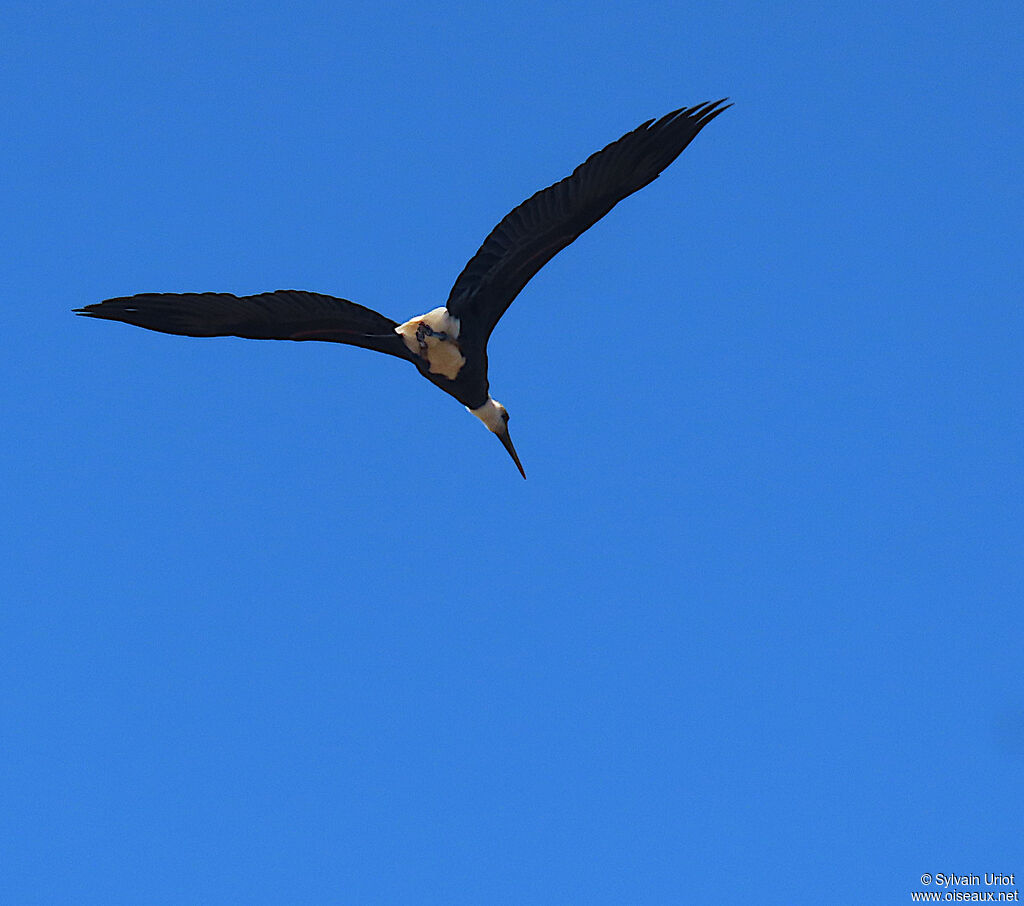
[[533, 234]]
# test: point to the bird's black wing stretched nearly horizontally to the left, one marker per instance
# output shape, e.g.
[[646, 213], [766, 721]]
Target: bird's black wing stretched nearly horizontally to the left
[[284, 315]]
